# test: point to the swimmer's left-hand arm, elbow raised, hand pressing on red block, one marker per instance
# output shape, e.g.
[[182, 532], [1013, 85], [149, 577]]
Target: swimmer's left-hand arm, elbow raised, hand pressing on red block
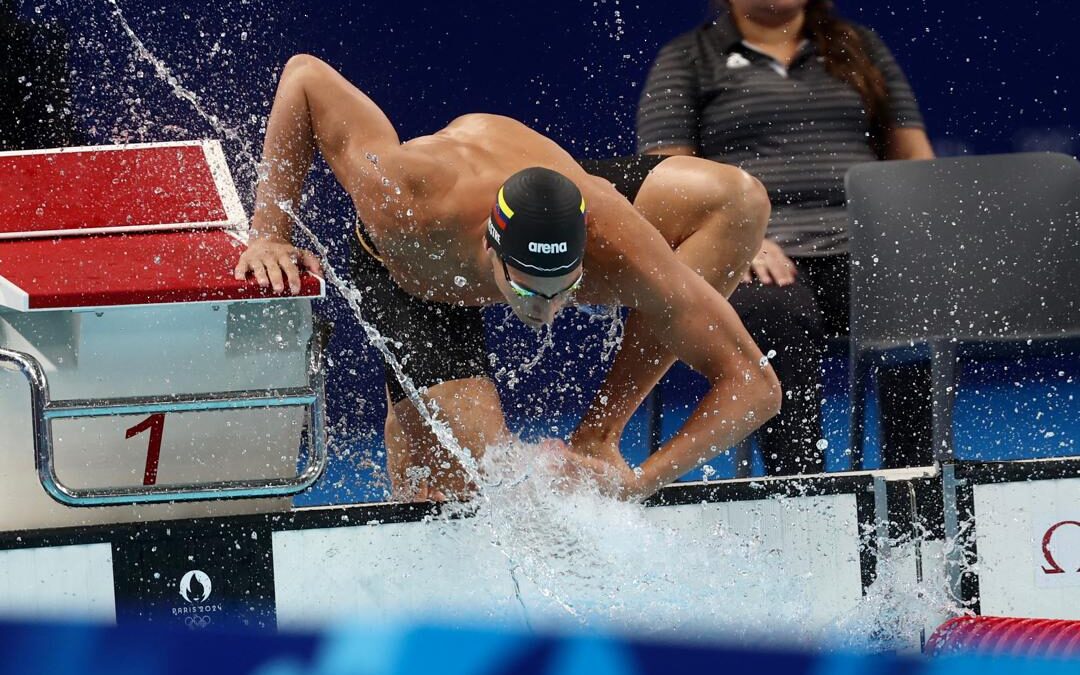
[[315, 107]]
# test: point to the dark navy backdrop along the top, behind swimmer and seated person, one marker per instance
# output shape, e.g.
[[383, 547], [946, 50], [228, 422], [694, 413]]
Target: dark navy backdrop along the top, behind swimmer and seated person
[[991, 76]]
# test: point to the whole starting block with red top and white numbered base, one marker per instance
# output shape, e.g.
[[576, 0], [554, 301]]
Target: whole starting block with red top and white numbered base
[[134, 369]]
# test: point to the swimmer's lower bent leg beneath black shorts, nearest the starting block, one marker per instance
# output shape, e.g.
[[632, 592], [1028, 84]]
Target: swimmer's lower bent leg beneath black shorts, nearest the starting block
[[472, 411]]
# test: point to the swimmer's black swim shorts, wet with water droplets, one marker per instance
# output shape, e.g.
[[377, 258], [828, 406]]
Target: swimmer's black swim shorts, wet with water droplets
[[441, 342]]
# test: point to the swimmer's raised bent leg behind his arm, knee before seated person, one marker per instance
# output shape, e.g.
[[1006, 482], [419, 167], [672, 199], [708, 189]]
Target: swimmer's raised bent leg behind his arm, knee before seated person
[[714, 217]]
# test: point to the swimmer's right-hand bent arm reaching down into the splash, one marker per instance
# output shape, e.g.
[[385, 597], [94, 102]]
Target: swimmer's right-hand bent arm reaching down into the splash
[[700, 328]]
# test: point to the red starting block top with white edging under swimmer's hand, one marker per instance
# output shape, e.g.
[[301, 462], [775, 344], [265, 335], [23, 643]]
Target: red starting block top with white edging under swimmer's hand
[[141, 225]]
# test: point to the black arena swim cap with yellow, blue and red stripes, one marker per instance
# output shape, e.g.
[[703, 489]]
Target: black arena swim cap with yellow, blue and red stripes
[[538, 223]]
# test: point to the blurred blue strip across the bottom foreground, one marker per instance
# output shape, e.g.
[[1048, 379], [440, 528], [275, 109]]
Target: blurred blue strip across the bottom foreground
[[389, 651]]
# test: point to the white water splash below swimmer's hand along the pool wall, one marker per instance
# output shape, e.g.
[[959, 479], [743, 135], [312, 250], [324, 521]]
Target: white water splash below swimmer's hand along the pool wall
[[620, 566]]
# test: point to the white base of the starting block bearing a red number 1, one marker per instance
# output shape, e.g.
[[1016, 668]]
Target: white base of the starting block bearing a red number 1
[[133, 352]]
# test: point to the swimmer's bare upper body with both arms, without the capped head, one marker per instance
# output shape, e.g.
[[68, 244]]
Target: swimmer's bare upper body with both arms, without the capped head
[[426, 206]]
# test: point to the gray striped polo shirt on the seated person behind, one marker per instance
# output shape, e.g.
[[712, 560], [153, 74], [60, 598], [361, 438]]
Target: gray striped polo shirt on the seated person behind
[[798, 130]]
